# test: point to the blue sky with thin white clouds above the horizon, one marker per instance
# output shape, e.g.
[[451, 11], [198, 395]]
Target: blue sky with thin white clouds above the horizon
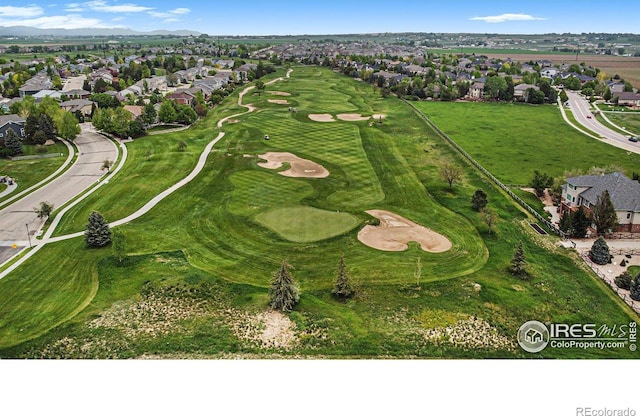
[[296, 17]]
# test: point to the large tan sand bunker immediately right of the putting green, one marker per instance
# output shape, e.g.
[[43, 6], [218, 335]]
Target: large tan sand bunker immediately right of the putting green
[[395, 232]]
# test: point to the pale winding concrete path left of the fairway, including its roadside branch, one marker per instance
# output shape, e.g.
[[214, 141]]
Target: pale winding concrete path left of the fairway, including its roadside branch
[[149, 205]]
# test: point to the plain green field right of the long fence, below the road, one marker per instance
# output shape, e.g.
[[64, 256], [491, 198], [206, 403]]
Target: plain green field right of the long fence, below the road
[[512, 141]]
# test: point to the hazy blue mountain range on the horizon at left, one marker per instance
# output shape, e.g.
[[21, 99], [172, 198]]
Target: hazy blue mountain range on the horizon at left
[[23, 31]]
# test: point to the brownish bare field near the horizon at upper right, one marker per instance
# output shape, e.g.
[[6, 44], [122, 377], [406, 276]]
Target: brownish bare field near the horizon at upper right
[[626, 66]]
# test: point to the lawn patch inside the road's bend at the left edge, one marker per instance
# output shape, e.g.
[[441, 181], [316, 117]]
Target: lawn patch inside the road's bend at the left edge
[[31, 171]]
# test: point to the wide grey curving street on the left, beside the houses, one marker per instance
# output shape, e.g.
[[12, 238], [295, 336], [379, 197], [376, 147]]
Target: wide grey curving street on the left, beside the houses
[[16, 218]]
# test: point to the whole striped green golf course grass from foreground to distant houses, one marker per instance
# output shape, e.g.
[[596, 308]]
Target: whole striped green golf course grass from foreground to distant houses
[[194, 283]]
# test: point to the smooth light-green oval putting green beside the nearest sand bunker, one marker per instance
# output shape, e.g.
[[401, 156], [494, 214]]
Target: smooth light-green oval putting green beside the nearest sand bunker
[[306, 224]]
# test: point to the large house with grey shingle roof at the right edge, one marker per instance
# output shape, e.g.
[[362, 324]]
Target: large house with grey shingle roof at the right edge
[[624, 192]]
